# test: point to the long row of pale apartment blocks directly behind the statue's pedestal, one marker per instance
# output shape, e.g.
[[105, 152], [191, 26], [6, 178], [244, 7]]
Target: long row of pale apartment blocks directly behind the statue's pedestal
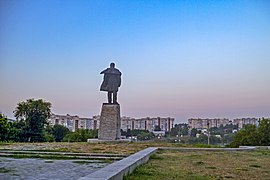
[[75, 122]]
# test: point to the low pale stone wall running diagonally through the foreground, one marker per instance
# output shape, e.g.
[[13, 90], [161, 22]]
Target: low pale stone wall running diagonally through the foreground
[[117, 170]]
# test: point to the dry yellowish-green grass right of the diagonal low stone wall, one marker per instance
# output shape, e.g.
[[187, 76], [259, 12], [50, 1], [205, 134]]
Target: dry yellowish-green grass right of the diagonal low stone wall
[[205, 165]]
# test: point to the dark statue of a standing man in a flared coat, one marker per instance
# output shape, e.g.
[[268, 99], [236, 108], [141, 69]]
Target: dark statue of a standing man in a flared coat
[[111, 82]]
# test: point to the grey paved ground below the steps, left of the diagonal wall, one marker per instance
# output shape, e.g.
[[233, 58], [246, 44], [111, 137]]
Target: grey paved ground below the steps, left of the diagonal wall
[[33, 169]]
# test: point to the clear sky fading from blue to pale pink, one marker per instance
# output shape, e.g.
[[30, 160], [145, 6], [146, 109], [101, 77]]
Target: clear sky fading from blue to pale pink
[[179, 59]]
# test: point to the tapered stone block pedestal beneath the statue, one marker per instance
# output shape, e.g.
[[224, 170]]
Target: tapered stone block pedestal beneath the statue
[[110, 122]]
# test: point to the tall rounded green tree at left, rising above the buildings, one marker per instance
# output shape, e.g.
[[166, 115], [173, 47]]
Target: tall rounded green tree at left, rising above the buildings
[[35, 114]]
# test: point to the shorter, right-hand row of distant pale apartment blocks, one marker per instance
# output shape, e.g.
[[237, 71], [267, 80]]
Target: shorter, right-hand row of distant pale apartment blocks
[[217, 122]]
